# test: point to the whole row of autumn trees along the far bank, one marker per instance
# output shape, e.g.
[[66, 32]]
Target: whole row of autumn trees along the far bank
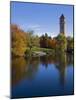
[[21, 41]]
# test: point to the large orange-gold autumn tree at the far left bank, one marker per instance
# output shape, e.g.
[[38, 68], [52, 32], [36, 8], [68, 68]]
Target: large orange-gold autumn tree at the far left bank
[[19, 42]]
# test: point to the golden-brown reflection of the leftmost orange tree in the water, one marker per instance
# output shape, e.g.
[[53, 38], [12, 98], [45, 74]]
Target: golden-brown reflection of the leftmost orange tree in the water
[[19, 67]]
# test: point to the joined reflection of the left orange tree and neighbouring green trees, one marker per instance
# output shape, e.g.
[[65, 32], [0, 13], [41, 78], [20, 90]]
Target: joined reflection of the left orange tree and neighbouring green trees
[[23, 68]]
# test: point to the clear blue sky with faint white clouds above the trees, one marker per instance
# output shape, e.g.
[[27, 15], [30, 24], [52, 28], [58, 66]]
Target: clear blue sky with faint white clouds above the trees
[[42, 18]]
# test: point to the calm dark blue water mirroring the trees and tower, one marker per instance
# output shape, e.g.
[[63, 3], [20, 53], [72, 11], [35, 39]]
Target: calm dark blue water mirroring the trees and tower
[[42, 76]]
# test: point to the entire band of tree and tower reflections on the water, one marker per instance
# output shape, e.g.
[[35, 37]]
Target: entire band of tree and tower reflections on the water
[[27, 68]]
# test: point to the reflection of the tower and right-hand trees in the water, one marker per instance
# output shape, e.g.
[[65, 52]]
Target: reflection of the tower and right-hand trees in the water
[[63, 60]]
